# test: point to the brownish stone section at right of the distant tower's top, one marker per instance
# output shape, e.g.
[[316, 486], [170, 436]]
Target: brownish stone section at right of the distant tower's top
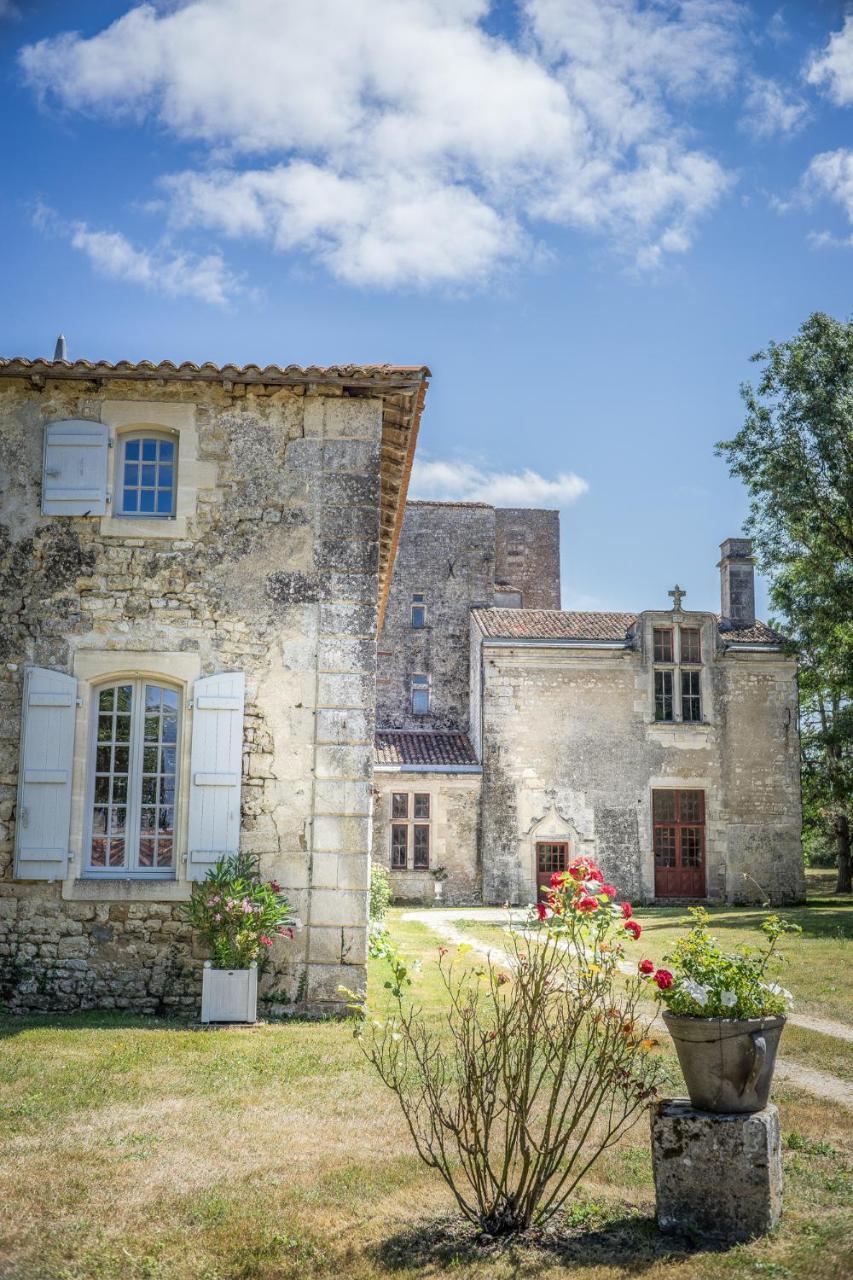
[[527, 555]]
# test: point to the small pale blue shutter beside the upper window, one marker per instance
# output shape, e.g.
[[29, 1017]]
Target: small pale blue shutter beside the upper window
[[75, 470]]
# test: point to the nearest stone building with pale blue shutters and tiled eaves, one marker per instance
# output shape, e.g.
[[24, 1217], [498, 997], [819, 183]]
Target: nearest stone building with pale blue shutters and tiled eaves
[[193, 565]]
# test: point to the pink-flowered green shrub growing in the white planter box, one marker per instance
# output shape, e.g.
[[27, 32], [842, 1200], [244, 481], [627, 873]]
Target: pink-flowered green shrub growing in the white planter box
[[238, 913]]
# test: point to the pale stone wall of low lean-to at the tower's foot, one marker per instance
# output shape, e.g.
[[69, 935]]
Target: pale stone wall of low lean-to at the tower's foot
[[455, 807]]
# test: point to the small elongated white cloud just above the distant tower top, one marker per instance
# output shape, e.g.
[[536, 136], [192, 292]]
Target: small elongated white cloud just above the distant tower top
[[464, 482]]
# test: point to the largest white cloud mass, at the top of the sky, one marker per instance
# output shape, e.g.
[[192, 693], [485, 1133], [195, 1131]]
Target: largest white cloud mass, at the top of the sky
[[414, 148]]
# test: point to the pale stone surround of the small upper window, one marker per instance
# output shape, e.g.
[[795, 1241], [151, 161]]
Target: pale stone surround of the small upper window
[[170, 418]]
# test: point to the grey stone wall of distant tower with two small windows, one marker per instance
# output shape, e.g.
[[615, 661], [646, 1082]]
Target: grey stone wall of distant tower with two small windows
[[448, 554]]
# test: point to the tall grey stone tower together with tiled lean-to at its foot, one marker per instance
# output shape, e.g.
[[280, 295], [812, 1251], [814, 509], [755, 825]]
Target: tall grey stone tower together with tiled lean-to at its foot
[[453, 557]]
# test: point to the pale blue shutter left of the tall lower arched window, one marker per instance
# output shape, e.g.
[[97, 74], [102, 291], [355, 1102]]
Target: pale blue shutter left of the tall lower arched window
[[43, 821]]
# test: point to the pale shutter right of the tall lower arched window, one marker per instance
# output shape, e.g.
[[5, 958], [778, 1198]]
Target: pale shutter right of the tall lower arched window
[[216, 762]]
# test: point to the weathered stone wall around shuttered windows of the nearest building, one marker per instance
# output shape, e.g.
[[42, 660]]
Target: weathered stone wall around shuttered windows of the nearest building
[[275, 575]]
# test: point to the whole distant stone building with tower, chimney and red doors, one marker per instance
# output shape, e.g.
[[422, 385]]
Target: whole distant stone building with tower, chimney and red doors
[[663, 743]]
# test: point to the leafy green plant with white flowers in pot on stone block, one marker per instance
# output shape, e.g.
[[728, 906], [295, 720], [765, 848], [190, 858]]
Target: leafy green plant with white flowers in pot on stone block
[[710, 982]]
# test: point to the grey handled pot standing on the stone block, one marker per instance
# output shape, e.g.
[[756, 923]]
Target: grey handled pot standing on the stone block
[[728, 1064]]
